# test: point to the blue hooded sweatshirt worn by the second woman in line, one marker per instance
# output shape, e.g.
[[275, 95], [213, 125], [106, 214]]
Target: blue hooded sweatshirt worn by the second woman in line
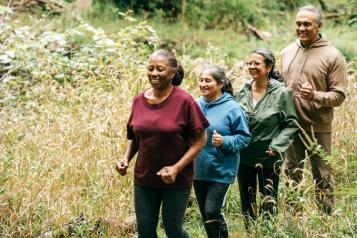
[[220, 164]]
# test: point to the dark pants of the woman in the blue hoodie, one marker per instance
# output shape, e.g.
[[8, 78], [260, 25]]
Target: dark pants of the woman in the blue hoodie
[[211, 197]]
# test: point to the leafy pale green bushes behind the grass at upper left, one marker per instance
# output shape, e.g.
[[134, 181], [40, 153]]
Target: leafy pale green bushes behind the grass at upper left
[[74, 55]]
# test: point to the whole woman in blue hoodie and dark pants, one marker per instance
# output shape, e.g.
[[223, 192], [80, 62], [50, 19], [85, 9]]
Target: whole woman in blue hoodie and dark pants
[[217, 164]]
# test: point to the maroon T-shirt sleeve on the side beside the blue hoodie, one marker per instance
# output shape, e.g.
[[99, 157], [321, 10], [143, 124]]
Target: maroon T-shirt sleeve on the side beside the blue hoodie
[[196, 119]]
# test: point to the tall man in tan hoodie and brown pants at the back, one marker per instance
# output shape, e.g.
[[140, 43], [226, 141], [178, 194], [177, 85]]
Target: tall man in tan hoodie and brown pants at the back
[[316, 73]]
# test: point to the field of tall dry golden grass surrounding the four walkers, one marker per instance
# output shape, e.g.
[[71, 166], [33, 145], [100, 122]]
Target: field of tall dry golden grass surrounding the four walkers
[[66, 91]]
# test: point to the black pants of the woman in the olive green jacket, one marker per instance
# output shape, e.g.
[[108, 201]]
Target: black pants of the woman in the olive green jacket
[[268, 180]]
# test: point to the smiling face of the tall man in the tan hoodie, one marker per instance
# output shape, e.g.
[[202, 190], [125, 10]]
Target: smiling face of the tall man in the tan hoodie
[[307, 28]]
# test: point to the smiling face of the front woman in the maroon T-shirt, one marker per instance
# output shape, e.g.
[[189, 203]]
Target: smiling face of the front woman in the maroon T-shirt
[[160, 72]]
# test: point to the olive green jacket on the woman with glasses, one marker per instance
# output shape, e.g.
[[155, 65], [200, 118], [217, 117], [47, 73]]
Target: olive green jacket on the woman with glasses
[[272, 123]]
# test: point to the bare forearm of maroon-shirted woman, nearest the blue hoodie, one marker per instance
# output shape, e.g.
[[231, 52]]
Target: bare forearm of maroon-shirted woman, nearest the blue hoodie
[[199, 142]]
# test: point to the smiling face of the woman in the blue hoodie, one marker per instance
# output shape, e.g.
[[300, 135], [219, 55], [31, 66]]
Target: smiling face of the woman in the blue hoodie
[[209, 87]]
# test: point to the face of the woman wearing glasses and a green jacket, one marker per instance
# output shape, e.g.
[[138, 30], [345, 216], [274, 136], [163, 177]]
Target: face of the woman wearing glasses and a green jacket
[[257, 68]]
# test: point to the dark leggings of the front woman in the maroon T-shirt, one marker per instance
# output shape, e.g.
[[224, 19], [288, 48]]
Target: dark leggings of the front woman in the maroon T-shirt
[[147, 209]]
